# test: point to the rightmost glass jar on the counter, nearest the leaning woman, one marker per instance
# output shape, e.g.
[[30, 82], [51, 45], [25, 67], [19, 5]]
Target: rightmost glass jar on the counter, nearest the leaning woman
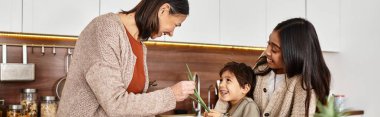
[[48, 106]]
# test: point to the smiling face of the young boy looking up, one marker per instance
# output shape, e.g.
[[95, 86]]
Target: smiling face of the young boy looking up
[[230, 90]]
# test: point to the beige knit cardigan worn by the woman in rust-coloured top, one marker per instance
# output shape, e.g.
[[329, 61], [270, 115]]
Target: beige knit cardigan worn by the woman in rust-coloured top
[[100, 72]]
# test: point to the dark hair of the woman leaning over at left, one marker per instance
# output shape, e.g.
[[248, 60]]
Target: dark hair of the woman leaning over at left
[[146, 14]]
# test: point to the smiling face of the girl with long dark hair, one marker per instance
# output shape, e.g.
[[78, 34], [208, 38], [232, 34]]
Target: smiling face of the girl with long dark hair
[[273, 52]]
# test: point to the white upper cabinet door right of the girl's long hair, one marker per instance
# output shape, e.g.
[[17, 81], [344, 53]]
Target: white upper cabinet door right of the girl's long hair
[[325, 16]]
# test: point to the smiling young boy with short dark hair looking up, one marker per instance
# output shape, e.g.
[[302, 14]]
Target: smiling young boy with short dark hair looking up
[[236, 88]]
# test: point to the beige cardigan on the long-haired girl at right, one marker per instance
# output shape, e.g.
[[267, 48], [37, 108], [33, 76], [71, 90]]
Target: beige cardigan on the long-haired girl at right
[[288, 101]]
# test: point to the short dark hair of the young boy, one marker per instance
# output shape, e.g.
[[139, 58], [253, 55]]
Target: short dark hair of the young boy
[[243, 73]]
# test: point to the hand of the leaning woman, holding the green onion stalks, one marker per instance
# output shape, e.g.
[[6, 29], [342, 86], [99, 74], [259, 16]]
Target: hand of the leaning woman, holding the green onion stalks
[[183, 89]]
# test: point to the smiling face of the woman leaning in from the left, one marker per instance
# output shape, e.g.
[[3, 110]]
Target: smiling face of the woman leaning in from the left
[[168, 22]]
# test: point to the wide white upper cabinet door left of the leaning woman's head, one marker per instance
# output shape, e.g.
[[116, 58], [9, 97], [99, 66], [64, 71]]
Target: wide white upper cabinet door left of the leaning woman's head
[[63, 17]]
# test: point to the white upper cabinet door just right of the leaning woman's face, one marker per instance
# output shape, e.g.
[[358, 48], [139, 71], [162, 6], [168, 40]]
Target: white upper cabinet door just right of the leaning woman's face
[[201, 26]]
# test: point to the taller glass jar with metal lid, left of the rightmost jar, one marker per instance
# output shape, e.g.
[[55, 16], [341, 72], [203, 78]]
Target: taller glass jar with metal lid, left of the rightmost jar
[[29, 102]]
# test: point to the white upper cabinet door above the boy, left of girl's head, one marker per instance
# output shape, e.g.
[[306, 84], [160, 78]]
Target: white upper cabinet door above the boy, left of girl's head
[[243, 22]]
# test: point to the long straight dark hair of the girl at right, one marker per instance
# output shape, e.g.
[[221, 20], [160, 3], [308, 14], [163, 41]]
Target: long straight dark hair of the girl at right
[[302, 55]]
